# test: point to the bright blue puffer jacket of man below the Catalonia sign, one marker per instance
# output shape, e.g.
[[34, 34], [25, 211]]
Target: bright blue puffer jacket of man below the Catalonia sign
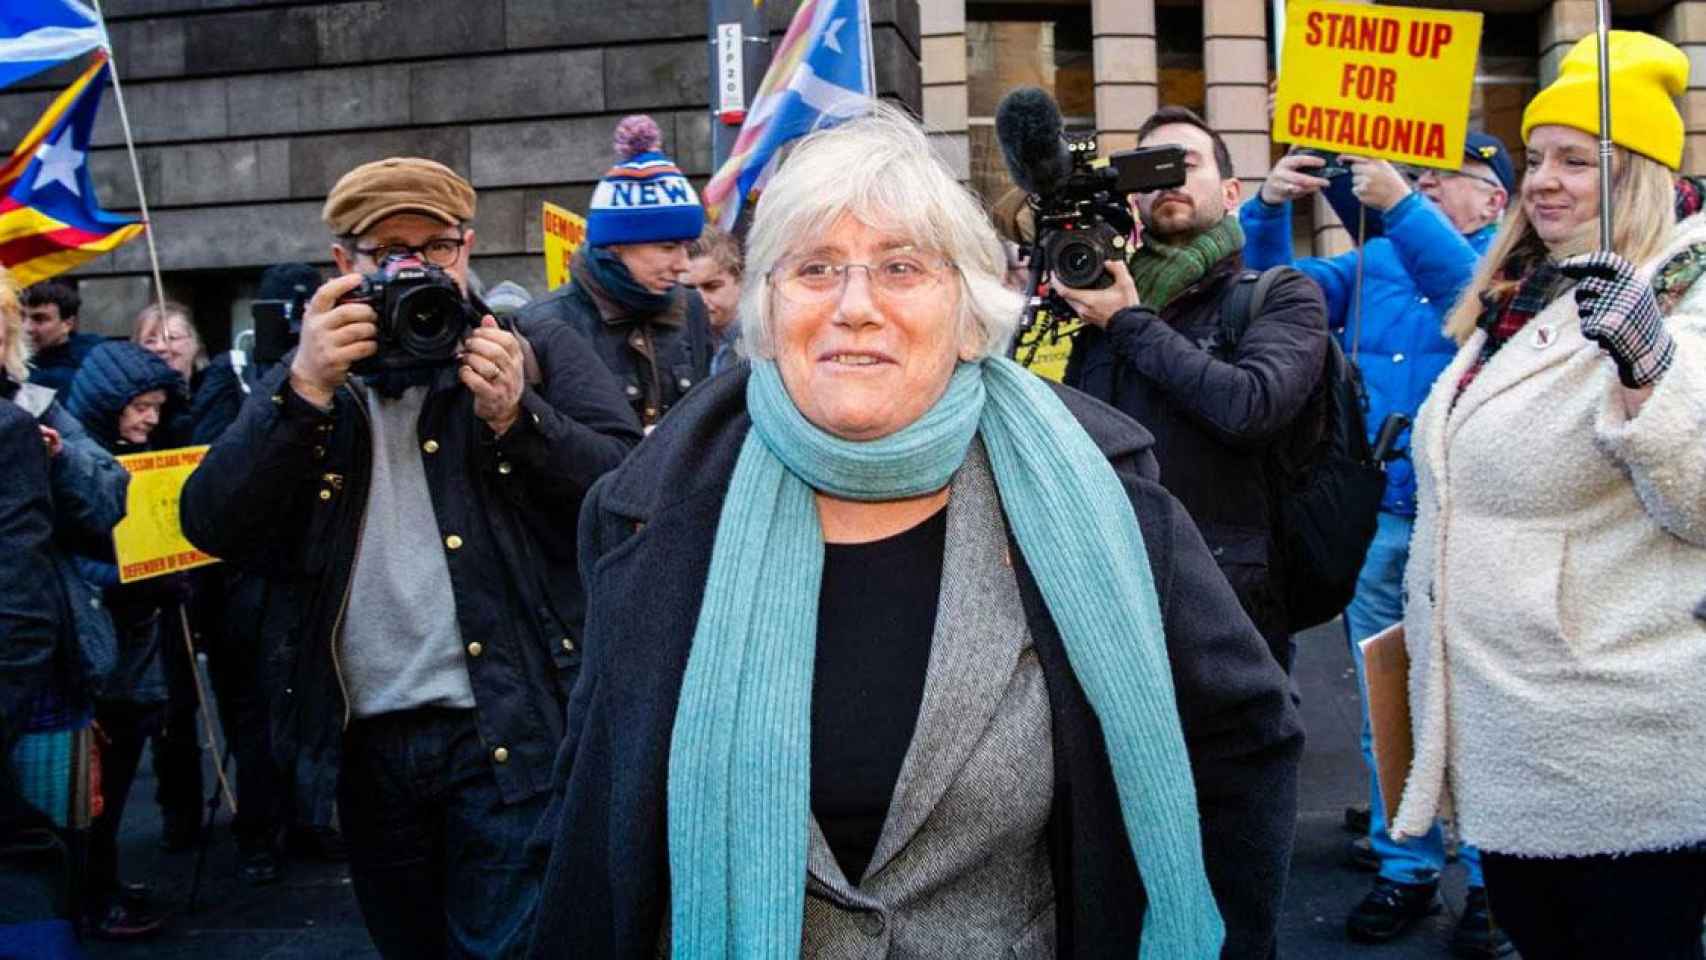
[[1412, 277]]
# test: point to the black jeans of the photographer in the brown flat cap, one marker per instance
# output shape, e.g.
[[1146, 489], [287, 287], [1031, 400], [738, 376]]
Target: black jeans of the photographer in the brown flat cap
[[438, 860]]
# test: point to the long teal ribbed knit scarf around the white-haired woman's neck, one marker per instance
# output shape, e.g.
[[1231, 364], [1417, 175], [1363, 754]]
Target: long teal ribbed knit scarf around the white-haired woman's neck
[[740, 760]]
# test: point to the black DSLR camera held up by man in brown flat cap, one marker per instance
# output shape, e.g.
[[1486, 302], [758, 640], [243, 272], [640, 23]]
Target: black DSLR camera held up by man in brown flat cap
[[422, 316]]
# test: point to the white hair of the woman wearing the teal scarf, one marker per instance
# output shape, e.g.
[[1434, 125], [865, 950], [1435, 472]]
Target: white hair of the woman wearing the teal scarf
[[879, 170]]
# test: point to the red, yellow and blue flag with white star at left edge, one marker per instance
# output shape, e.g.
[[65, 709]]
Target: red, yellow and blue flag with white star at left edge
[[50, 221]]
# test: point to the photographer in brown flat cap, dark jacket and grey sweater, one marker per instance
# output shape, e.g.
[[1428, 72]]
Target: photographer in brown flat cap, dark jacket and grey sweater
[[417, 470]]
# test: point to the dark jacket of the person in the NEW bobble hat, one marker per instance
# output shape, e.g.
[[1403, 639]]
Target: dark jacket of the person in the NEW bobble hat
[[656, 359]]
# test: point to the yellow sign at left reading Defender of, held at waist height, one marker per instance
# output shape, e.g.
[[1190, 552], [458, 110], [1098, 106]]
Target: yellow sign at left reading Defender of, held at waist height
[[149, 541]]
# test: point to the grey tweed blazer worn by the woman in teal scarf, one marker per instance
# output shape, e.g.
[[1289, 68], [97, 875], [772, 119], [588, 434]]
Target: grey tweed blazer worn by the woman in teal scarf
[[961, 869]]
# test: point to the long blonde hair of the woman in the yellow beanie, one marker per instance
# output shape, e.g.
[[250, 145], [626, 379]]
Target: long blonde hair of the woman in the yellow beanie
[[1642, 194]]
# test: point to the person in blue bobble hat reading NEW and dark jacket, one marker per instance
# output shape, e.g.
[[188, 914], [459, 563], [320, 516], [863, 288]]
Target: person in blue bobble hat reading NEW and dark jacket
[[627, 291]]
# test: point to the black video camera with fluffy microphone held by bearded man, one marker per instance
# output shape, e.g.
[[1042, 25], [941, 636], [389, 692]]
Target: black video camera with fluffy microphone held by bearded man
[[1077, 202]]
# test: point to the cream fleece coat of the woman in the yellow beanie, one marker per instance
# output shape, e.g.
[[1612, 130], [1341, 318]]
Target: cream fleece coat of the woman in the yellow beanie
[[1558, 674]]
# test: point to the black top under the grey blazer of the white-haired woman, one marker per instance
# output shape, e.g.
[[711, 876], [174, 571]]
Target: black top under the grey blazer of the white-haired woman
[[876, 616]]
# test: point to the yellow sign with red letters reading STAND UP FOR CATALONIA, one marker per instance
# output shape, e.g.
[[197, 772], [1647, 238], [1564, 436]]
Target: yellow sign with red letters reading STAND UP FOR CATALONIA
[[1390, 83]]
